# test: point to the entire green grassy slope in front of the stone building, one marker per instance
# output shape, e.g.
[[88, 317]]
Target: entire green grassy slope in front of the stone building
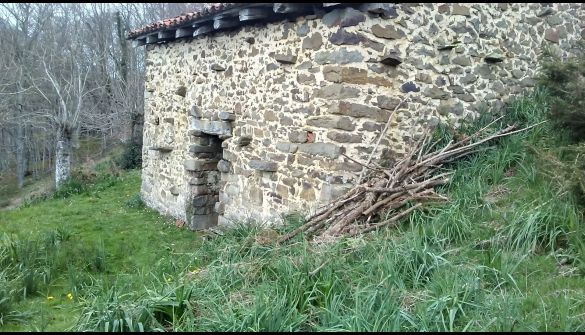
[[504, 254]]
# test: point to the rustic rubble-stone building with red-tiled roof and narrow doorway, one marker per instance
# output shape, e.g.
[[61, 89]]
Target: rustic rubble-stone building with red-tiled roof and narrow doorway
[[255, 110]]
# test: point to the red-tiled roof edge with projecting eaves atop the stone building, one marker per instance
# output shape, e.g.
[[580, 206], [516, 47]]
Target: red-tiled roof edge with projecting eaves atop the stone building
[[221, 16]]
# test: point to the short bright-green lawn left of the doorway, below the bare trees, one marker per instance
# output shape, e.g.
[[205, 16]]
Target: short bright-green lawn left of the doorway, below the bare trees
[[105, 239]]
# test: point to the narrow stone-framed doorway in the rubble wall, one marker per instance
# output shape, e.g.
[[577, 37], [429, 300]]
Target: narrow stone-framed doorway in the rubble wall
[[204, 180]]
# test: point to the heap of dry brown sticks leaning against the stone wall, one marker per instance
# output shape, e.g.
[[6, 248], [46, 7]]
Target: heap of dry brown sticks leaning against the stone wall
[[395, 191]]
